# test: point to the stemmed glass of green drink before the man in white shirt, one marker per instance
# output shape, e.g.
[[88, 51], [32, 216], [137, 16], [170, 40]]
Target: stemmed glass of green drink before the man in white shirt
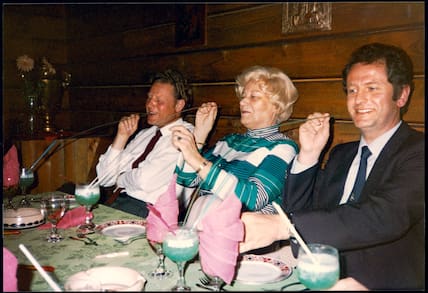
[[87, 195]]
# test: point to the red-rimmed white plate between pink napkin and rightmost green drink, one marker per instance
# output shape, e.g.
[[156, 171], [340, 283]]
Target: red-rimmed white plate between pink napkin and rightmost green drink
[[259, 269]]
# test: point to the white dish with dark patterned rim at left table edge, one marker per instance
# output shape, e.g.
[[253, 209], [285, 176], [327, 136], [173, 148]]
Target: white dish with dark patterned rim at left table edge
[[22, 218]]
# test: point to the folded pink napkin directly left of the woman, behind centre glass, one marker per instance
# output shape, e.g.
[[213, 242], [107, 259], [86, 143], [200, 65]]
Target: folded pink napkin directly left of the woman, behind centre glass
[[167, 206]]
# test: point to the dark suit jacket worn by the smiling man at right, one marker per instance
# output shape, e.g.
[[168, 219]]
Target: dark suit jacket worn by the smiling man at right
[[381, 238]]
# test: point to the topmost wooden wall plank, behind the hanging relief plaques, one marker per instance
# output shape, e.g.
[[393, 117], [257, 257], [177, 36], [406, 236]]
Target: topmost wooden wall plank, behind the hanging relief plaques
[[256, 24]]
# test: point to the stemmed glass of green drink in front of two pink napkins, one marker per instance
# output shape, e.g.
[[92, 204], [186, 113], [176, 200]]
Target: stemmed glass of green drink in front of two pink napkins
[[180, 245]]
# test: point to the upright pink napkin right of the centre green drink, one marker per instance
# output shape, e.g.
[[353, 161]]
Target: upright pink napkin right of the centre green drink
[[220, 237]]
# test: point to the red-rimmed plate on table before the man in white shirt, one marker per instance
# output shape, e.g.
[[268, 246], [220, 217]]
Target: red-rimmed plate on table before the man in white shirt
[[122, 229]]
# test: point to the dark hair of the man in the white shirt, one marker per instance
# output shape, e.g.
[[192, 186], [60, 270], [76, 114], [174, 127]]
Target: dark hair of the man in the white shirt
[[178, 81]]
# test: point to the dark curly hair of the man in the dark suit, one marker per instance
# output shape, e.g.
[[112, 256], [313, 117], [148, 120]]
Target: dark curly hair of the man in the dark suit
[[399, 67]]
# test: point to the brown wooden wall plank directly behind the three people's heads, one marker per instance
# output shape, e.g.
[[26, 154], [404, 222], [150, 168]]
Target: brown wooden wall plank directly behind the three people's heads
[[305, 59]]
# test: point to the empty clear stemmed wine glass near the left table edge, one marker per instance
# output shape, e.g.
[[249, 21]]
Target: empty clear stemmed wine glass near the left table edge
[[53, 209]]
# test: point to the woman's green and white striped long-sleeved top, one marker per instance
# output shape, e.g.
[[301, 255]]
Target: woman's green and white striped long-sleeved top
[[253, 166]]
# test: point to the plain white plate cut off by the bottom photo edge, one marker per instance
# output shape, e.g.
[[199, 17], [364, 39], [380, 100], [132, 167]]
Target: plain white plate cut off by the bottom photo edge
[[109, 278]]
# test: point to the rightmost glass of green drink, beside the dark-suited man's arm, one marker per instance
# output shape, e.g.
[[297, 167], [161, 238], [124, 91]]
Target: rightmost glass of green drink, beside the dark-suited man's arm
[[323, 273]]
